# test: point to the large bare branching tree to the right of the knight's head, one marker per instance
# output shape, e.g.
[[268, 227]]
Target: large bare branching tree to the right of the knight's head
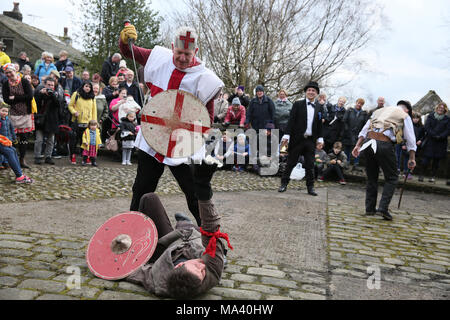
[[281, 43]]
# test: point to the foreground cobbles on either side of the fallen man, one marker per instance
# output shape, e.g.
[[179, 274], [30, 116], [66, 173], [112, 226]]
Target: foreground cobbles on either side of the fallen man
[[35, 266]]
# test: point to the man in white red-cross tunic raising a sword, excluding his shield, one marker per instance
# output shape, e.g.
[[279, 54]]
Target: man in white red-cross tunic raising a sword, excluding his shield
[[166, 69]]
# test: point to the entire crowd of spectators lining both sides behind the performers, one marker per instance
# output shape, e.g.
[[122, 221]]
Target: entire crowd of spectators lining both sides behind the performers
[[70, 115]]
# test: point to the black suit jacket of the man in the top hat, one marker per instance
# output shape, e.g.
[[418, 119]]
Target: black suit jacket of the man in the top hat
[[298, 122]]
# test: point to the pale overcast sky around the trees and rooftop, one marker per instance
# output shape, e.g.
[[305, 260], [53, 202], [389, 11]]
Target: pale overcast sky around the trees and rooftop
[[409, 61]]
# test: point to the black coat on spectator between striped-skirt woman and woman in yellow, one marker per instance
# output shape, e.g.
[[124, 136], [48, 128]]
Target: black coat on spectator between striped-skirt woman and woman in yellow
[[48, 105]]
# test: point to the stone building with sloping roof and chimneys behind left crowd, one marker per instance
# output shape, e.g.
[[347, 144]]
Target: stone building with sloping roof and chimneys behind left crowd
[[19, 36]]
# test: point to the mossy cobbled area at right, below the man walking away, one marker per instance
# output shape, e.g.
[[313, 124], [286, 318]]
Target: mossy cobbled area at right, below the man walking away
[[413, 250]]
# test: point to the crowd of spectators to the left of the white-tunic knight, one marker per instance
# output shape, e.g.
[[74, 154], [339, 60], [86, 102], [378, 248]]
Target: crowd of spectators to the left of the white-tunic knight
[[65, 114]]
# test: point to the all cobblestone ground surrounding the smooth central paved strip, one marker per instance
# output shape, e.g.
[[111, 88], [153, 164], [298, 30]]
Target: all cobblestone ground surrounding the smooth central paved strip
[[413, 250]]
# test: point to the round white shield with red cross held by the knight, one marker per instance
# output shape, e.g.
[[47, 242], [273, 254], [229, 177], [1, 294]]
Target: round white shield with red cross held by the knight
[[173, 123]]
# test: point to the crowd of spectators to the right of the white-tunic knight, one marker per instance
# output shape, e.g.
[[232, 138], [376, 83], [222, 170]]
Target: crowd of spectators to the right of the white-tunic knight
[[342, 122]]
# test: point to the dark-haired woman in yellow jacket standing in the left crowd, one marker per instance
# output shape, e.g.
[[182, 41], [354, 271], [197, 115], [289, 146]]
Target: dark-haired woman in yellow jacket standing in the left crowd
[[83, 108]]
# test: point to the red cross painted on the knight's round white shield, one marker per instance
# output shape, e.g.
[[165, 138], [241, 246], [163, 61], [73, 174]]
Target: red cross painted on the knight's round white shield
[[174, 123]]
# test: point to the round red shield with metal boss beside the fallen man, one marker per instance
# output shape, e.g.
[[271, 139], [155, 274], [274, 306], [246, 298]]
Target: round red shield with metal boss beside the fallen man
[[121, 245]]
